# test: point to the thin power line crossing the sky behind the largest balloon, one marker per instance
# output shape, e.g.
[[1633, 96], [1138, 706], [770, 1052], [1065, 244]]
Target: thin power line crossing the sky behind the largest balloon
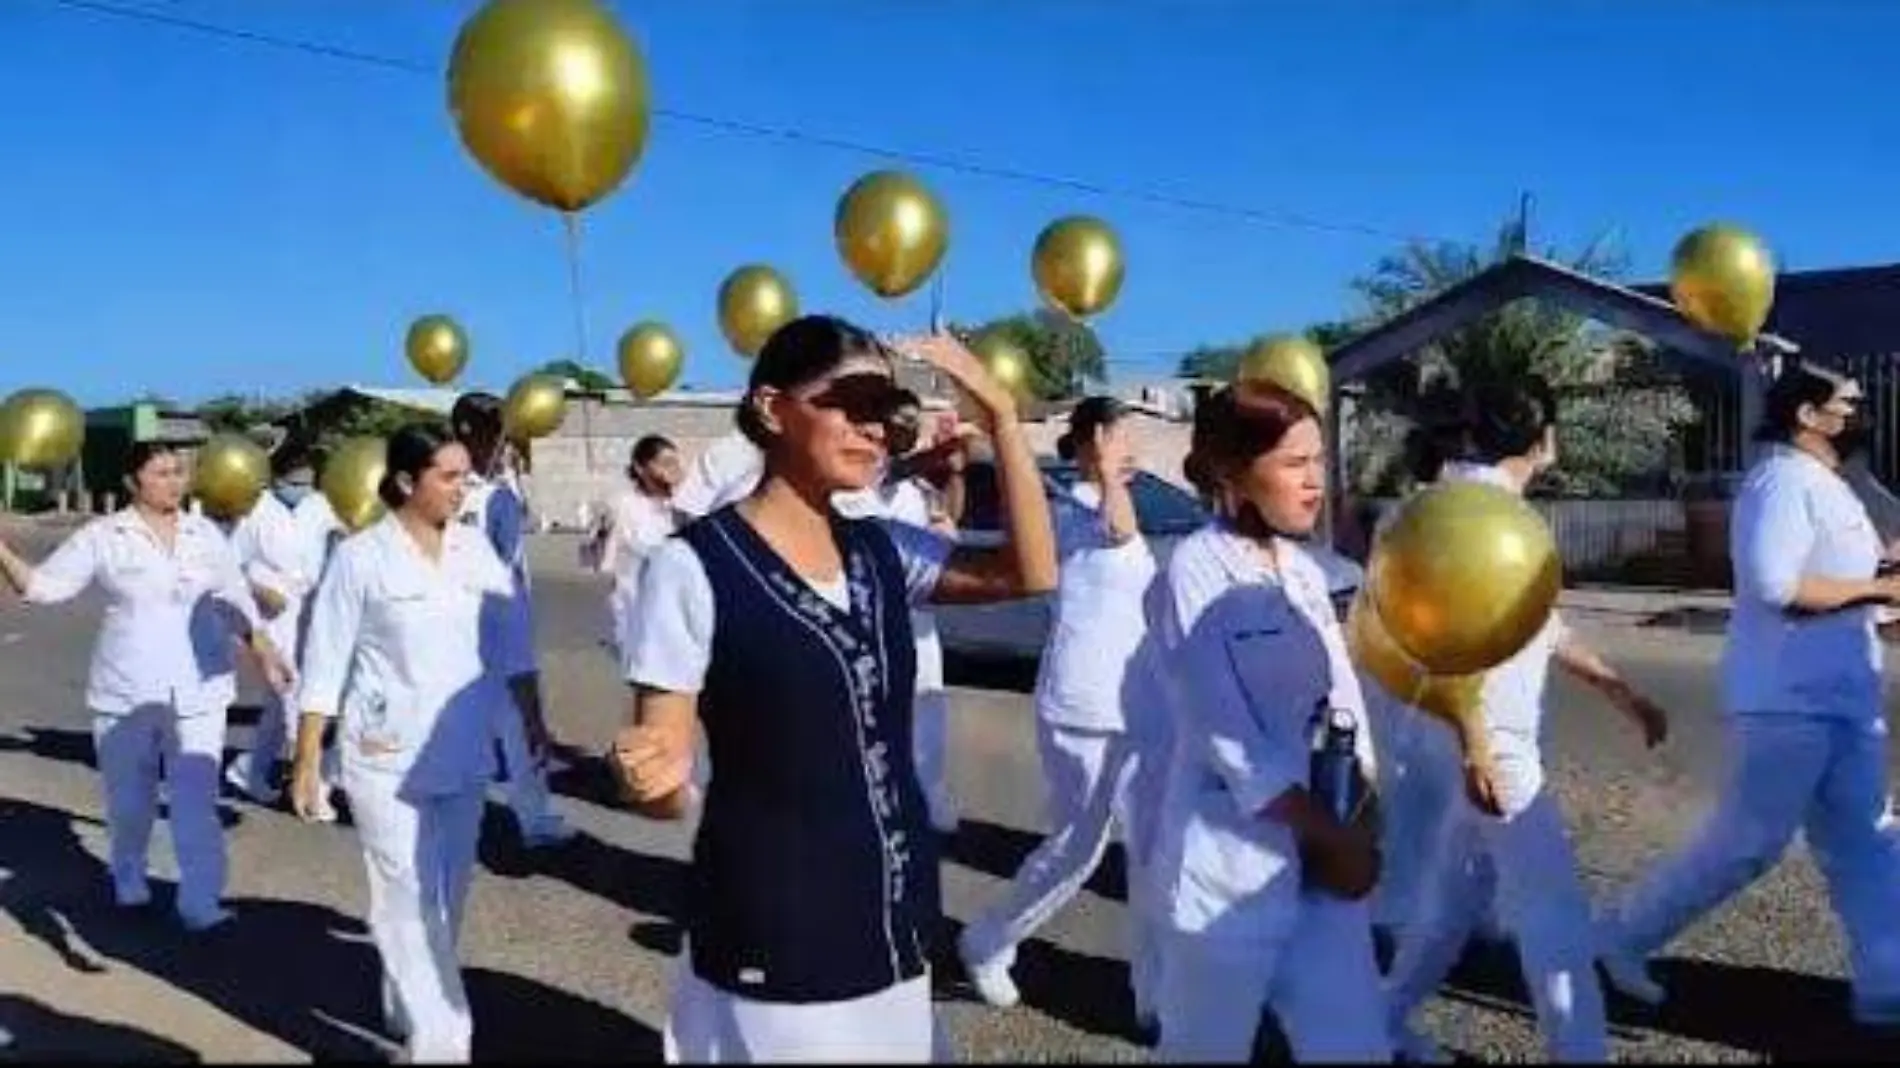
[[789, 134]]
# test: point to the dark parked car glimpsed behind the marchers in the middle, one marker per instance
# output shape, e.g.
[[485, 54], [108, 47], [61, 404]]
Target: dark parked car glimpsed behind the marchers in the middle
[[1017, 630]]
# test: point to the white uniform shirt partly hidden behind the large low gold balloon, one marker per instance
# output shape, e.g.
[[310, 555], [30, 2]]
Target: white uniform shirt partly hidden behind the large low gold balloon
[[1513, 693]]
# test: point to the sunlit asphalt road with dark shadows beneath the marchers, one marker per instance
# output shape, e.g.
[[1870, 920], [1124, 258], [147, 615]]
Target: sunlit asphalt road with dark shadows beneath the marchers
[[569, 953]]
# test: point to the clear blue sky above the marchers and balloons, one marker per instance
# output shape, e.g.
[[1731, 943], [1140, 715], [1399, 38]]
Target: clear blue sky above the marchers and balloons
[[195, 216]]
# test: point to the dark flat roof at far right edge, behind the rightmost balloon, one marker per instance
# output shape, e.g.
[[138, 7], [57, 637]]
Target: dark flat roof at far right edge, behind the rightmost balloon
[[1836, 313]]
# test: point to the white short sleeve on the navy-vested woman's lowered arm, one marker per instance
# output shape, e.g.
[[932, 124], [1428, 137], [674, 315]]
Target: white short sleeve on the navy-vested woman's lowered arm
[[672, 641]]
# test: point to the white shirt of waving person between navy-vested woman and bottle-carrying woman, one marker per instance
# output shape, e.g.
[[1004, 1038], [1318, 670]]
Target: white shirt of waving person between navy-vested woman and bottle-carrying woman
[[1099, 622]]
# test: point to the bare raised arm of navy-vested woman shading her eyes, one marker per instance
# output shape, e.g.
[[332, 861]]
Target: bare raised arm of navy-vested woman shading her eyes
[[1027, 563]]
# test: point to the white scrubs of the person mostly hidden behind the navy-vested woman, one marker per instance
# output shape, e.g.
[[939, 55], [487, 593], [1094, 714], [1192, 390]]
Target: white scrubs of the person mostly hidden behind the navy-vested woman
[[909, 501]]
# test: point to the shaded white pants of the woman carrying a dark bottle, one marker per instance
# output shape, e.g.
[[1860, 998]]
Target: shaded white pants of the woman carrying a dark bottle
[[1321, 982]]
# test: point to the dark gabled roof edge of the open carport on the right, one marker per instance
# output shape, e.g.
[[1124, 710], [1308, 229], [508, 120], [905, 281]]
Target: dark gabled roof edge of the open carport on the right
[[1529, 277]]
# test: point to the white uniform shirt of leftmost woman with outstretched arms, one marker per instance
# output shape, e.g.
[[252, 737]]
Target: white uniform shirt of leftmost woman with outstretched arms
[[166, 638]]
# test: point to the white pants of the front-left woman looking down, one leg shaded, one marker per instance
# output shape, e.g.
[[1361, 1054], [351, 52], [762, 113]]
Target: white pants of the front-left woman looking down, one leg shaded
[[421, 858]]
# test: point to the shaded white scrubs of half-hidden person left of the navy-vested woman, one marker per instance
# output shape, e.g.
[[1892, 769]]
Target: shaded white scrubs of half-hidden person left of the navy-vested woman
[[508, 639]]
